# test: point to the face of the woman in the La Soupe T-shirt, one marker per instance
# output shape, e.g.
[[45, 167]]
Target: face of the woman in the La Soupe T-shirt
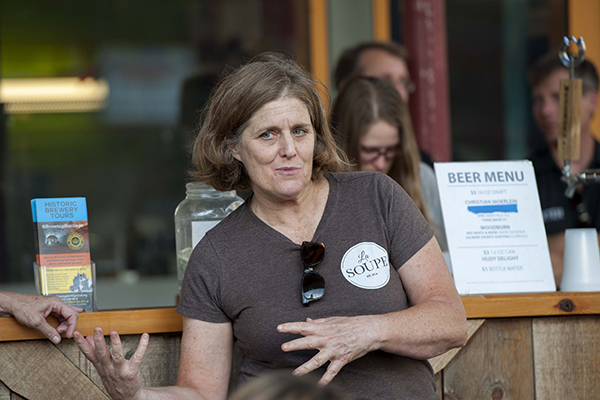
[[277, 149]]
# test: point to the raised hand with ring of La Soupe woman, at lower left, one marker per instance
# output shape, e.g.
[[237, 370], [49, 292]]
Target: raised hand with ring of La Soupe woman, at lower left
[[121, 377]]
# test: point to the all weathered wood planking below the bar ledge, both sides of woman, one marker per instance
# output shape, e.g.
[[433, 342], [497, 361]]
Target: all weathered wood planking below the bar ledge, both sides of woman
[[505, 359]]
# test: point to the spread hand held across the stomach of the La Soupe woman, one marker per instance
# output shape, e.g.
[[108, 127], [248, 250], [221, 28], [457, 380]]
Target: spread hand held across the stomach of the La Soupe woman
[[340, 340]]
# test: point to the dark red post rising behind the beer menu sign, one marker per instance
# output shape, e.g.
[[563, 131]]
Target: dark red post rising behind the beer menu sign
[[425, 38]]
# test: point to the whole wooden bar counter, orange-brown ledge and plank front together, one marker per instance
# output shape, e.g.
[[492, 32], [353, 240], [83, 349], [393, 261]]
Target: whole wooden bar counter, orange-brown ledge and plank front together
[[525, 346]]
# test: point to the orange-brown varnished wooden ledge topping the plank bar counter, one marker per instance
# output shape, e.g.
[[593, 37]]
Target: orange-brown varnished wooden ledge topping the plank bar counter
[[165, 320]]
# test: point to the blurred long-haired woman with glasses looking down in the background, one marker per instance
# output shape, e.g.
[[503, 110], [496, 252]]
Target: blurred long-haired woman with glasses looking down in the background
[[372, 124]]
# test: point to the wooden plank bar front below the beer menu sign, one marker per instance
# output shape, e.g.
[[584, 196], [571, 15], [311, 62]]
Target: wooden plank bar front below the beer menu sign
[[527, 358]]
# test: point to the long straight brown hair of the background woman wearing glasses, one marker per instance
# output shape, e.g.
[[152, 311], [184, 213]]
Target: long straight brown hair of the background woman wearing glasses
[[364, 102]]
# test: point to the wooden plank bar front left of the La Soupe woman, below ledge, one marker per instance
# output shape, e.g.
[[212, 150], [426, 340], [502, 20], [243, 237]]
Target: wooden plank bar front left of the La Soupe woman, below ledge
[[39, 370]]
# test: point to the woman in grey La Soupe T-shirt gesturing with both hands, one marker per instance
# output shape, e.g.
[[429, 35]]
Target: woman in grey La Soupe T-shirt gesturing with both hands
[[319, 272]]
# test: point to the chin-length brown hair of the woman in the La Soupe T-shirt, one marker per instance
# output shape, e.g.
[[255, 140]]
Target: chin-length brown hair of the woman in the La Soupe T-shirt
[[267, 77]]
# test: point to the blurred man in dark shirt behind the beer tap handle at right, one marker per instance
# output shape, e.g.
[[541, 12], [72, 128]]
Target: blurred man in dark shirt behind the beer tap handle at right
[[560, 212]]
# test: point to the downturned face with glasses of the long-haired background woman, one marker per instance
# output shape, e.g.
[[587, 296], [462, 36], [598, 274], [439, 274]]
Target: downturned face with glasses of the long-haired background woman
[[379, 147]]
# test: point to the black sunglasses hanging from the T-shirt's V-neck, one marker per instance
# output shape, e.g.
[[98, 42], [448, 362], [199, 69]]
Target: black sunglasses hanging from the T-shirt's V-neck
[[313, 284]]
